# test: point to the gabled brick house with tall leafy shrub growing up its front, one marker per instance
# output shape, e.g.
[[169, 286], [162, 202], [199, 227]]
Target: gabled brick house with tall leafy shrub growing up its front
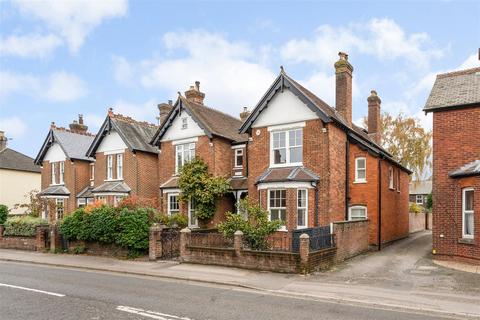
[[192, 129]]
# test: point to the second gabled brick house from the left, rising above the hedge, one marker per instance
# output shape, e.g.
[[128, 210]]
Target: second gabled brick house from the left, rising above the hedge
[[125, 162]]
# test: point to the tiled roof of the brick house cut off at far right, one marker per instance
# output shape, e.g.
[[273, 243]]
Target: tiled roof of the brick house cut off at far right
[[455, 89]]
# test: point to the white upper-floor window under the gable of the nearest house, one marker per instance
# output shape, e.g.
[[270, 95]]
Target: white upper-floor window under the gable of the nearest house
[[287, 147]]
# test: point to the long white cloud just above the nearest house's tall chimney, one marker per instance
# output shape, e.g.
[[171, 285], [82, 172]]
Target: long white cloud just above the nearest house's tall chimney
[[382, 38]]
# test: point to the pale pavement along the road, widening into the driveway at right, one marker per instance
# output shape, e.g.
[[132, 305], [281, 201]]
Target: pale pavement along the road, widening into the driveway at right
[[400, 277]]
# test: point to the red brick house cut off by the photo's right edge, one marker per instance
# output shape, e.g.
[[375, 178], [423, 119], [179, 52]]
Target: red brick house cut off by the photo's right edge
[[455, 104]]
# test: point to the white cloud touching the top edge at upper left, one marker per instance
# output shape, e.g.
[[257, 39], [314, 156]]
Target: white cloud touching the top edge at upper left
[[74, 19]]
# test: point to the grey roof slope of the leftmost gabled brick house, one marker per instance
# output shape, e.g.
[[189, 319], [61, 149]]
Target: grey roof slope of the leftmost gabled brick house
[[74, 145]]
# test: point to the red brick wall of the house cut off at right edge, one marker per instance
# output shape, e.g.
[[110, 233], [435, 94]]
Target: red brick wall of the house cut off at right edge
[[453, 147]]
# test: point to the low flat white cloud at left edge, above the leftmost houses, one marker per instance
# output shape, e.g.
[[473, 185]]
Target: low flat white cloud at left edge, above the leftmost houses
[[57, 87]]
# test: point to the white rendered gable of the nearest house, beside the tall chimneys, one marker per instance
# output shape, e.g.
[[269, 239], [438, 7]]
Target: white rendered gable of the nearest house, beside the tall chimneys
[[284, 108]]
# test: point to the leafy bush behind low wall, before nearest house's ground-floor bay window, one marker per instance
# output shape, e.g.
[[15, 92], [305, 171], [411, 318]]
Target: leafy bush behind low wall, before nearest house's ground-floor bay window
[[256, 228]]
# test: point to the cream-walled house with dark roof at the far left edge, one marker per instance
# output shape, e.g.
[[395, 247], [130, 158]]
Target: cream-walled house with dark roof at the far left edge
[[18, 176]]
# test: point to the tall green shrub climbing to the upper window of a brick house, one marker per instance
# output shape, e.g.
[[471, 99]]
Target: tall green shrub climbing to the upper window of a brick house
[[197, 183]]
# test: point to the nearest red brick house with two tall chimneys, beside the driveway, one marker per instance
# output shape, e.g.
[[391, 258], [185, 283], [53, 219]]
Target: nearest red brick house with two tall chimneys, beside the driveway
[[309, 165]]
